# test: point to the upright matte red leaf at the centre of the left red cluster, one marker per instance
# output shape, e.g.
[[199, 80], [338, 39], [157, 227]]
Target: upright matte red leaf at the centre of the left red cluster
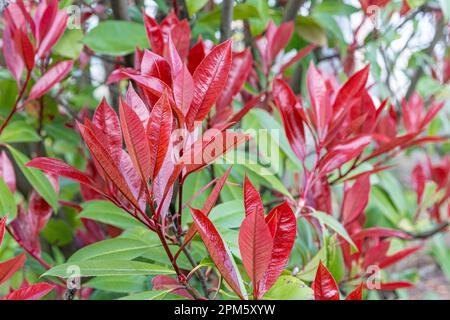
[[135, 140]]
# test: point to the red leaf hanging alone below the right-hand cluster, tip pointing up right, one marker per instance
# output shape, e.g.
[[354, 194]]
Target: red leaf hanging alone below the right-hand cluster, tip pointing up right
[[355, 200]]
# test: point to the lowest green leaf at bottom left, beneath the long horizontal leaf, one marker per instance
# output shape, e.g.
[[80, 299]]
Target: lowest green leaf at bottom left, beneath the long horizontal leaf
[[123, 284]]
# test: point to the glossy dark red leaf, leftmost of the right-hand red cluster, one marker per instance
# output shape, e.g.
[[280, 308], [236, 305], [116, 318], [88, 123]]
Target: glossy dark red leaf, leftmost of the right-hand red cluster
[[292, 116]]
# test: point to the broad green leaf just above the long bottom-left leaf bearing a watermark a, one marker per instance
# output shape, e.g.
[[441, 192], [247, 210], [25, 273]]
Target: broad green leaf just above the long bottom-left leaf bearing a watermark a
[[111, 249]]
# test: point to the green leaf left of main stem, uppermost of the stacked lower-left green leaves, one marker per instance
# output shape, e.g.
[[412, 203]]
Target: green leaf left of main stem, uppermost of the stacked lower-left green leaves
[[108, 213]]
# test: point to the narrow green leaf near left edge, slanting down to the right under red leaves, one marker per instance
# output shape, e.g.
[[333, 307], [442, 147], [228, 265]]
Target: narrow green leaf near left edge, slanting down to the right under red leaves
[[36, 178]]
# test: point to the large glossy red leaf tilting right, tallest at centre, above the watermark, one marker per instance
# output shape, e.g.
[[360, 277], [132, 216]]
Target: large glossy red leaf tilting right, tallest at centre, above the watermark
[[209, 79]]
